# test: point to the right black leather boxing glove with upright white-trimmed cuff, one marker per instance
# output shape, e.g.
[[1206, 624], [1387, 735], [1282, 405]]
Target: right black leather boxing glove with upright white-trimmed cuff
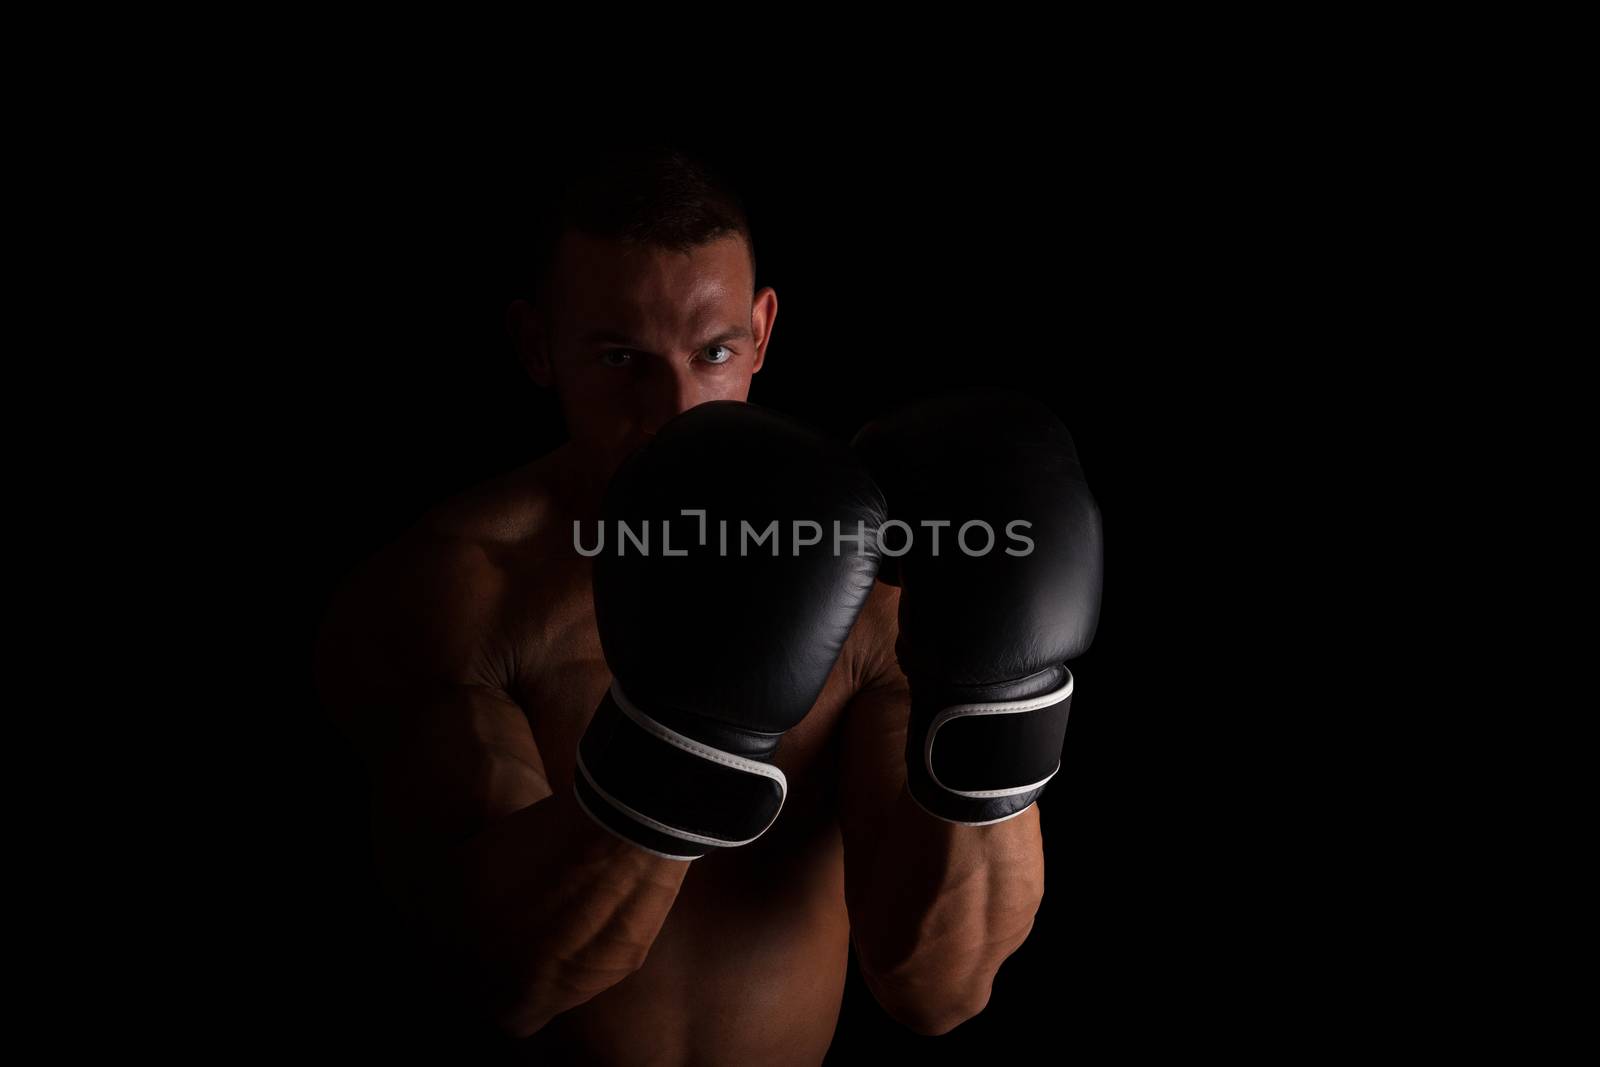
[[985, 636]]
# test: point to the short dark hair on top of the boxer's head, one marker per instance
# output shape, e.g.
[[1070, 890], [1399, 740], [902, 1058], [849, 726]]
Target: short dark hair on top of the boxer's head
[[658, 194]]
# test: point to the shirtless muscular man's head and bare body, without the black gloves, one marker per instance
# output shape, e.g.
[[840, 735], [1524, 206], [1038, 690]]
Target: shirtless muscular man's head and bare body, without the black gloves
[[466, 665]]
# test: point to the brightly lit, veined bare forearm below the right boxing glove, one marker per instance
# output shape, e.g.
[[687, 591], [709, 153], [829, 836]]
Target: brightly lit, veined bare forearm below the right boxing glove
[[942, 908]]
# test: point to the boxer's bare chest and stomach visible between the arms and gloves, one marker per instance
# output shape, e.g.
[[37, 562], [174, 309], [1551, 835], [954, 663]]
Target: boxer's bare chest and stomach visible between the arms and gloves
[[772, 909]]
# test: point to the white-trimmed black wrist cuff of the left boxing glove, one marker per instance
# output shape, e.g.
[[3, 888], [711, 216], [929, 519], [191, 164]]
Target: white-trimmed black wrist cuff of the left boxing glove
[[668, 793]]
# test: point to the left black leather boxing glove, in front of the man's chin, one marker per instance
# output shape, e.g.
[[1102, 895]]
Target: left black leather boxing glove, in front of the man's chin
[[719, 641]]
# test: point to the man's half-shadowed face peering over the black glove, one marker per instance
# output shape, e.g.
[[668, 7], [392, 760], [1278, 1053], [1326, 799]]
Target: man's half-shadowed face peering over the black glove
[[641, 334]]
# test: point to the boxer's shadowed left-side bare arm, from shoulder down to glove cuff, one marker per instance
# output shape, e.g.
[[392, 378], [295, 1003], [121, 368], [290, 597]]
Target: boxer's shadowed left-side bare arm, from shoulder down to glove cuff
[[530, 906]]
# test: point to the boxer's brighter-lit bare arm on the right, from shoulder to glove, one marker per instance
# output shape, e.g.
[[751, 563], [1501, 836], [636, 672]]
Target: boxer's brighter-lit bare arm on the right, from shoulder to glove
[[935, 908]]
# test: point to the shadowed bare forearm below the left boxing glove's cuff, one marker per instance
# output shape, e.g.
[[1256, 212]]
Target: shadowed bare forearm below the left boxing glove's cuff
[[543, 909]]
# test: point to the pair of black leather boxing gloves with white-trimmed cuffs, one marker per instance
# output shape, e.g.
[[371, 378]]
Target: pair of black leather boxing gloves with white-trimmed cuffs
[[737, 551]]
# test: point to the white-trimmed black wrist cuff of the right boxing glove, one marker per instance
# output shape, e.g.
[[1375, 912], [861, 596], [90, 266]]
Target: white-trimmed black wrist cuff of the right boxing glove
[[986, 762]]
